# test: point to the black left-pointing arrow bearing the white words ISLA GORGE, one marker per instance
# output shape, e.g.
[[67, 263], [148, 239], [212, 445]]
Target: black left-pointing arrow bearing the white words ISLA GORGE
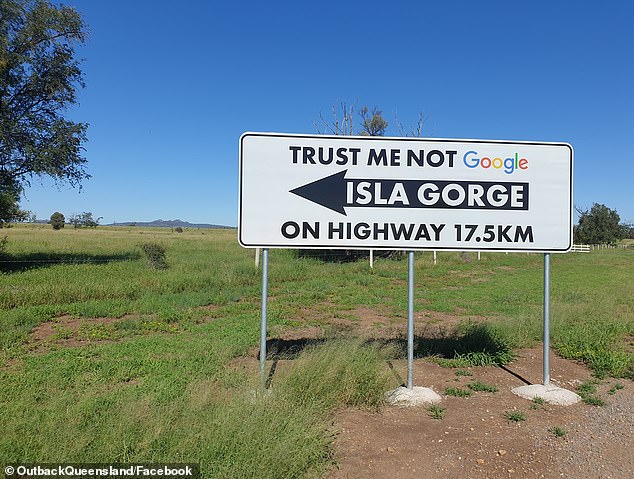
[[336, 192]]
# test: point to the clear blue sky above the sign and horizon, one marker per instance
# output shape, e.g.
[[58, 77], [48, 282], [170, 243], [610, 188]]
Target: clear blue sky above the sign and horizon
[[171, 86]]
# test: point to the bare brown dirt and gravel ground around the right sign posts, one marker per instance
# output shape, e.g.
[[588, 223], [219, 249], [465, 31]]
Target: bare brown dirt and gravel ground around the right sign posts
[[475, 440]]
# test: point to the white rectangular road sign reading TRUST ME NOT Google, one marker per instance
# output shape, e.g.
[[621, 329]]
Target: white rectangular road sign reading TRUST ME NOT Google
[[315, 191]]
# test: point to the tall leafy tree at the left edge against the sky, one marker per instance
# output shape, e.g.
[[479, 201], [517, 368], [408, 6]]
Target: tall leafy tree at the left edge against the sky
[[39, 76]]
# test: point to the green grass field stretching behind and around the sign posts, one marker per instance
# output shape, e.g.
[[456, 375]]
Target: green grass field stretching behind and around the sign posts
[[141, 364]]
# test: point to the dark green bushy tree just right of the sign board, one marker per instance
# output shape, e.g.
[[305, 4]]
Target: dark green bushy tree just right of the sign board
[[599, 225]]
